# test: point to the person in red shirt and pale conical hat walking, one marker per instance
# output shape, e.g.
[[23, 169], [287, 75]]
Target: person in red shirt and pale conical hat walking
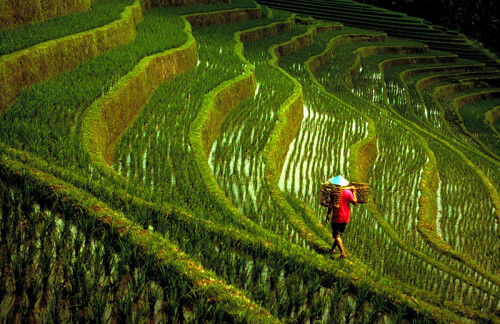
[[340, 216]]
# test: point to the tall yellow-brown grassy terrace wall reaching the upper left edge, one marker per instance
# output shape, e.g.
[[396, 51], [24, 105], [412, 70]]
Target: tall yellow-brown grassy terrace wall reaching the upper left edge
[[43, 61]]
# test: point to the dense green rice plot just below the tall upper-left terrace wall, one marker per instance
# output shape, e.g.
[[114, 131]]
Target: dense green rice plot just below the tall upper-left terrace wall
[[88, 81]]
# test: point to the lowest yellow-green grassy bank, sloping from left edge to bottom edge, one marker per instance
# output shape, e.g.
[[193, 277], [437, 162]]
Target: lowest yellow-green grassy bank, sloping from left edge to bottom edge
[[84, 204]]
